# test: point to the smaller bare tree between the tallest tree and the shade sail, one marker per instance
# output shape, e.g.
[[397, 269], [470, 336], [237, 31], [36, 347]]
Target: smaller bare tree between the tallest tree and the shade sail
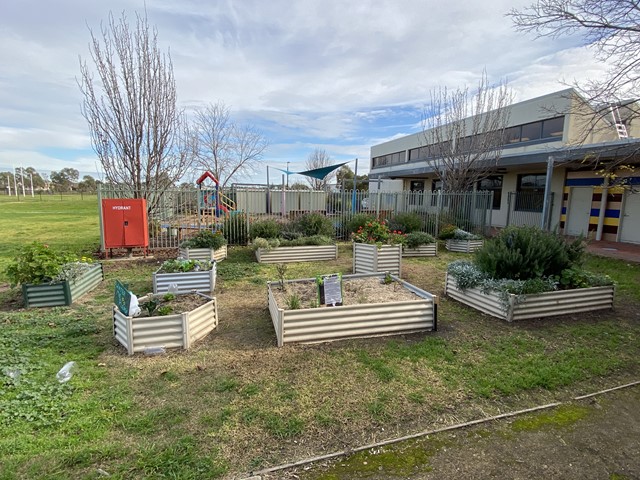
[[225, 148]]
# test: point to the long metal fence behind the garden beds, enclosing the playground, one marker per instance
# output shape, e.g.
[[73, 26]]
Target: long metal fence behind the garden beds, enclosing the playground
[[175, 214]]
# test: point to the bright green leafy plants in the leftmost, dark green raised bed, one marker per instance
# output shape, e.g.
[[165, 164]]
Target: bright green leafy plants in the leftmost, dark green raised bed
[[37, 263]]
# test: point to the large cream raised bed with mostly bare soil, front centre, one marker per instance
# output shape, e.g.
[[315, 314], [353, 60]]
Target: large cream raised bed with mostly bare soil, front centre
[[370, 308]]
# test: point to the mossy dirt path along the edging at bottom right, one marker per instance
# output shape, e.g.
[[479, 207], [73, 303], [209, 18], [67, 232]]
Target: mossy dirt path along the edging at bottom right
[[596, 438]]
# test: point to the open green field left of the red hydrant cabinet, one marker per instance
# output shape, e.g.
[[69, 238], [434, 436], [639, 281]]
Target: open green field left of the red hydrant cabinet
[[67, 222]]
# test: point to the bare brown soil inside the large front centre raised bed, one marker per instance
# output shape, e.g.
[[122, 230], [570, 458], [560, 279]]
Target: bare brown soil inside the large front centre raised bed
[[354, 292]]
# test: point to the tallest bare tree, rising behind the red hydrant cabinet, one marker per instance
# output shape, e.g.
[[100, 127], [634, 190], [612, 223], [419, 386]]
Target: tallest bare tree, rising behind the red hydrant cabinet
[[136, 128]]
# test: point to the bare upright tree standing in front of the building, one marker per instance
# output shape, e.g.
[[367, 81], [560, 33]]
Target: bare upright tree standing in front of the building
[[463, 133]]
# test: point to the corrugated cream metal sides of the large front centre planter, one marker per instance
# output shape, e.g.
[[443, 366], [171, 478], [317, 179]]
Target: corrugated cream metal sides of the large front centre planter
[[325, 324]]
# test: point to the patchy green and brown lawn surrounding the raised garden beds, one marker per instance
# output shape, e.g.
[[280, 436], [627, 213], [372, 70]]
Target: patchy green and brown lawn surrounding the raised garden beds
[[235, 402]]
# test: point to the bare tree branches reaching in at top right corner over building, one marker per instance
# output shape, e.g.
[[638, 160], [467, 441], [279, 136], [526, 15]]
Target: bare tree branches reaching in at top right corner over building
[[611, 28]]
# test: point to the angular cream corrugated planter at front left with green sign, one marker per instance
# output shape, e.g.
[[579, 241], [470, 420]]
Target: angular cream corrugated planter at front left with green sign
[[169, 331]]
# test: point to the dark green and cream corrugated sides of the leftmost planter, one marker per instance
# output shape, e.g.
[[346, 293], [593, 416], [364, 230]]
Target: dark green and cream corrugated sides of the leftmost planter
[[62, 293]]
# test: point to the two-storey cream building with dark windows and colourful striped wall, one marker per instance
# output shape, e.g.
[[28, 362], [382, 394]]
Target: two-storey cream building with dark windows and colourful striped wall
[[543, 134]]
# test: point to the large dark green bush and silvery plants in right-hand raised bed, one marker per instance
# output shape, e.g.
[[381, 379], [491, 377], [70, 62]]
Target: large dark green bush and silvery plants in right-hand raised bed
[[524, 261]]
